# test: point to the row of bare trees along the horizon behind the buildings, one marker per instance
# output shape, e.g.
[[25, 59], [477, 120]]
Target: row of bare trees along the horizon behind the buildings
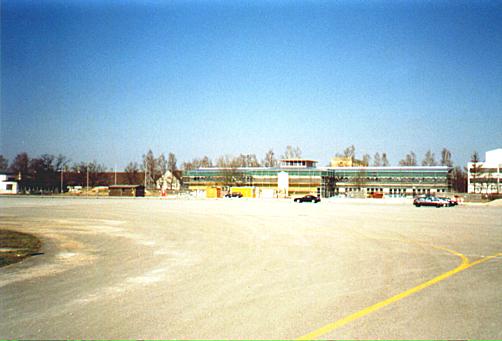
[[53, 173]]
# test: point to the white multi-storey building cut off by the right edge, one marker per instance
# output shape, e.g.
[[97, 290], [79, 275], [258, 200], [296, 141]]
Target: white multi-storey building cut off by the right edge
[[485, 177]]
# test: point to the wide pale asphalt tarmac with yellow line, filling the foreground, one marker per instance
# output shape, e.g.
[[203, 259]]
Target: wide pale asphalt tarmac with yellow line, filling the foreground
[[252, 269]]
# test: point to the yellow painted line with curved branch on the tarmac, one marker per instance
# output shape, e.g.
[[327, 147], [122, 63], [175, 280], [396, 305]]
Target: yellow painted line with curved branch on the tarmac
[[337, 324]]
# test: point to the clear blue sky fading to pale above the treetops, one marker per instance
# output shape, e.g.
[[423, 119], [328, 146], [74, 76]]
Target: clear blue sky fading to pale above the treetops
[[108, 80]]
